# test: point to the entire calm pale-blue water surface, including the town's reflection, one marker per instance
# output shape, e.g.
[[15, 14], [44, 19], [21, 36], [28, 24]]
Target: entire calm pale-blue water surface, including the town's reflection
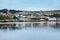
[[29, 31]]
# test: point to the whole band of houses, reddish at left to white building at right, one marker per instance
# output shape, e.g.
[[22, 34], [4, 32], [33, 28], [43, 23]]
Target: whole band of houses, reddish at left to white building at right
[[25, 15]]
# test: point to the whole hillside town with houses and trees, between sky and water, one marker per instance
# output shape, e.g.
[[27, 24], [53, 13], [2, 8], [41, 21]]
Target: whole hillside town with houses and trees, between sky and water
[[32, 16]]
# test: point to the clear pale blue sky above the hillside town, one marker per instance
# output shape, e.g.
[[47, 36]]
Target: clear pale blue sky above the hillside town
[[33, 5]]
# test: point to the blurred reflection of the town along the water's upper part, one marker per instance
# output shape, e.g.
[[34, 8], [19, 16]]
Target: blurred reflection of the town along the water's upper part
[[21, 25]]
